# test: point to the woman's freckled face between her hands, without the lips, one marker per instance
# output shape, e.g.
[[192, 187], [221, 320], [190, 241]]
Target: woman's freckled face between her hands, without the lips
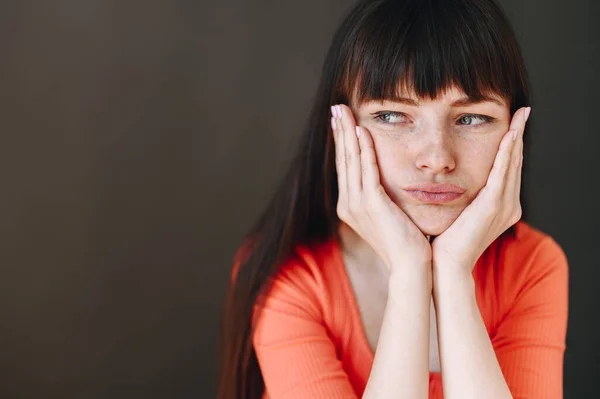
[[441, 141]]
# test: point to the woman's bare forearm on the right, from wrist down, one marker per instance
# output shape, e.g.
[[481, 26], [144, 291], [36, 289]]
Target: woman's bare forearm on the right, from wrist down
[[468, 362]]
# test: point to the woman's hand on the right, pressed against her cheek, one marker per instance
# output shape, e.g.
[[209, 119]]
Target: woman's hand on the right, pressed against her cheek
[[495, 208]]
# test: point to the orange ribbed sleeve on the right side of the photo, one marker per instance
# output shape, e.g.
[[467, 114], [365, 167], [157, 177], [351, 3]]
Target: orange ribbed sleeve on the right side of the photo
[[531, 340]]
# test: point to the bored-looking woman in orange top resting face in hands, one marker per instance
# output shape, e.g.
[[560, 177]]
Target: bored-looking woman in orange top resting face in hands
[[393, 256]]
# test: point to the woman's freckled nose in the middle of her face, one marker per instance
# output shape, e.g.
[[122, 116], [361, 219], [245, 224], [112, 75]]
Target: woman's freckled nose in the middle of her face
[[435, 154]]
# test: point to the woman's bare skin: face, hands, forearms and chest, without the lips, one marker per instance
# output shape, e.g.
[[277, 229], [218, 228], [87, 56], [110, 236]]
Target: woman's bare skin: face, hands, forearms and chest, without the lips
[[386, 234]]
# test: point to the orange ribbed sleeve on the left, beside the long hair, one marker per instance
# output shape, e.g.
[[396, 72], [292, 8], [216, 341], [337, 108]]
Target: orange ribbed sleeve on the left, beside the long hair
[[296, 356]]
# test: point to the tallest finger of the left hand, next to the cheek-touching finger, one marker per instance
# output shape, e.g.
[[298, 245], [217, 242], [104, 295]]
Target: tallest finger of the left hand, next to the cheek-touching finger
[[352, 151]]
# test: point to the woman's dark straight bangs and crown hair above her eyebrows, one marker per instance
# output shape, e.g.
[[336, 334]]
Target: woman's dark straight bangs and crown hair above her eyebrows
[[427, 47]]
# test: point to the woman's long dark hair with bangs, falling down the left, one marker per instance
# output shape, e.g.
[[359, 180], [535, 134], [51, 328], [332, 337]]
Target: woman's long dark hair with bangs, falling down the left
[[381, 45]]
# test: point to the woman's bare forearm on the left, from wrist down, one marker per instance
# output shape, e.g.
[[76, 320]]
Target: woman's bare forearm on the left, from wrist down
[[401, 365]]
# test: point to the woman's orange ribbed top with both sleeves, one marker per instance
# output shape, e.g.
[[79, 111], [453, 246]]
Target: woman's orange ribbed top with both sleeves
[[310, 342]]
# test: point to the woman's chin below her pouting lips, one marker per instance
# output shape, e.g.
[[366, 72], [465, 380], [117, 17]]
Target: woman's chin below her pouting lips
[[432, 220]]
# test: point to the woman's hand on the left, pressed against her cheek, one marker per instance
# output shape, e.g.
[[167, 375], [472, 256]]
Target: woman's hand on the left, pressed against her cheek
[[363, 203]]
